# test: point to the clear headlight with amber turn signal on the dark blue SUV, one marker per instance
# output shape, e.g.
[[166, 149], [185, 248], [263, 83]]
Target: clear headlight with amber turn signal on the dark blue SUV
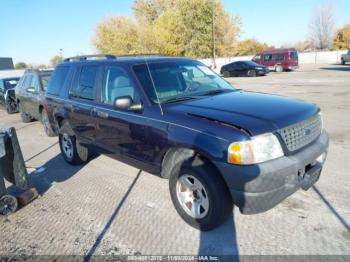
[[259, 149]]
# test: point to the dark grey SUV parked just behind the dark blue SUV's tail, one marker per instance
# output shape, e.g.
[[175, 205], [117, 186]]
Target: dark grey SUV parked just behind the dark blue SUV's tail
[[30, 96]]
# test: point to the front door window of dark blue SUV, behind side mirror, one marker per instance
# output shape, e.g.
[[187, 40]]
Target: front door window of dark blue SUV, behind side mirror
[[116, 84]]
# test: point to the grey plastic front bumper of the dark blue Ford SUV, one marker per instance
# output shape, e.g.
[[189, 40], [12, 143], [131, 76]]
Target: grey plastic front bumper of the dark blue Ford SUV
[[257, 188]]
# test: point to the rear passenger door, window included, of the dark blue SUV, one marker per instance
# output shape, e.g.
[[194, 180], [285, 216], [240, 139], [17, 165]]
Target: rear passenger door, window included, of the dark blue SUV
[[82, 103]]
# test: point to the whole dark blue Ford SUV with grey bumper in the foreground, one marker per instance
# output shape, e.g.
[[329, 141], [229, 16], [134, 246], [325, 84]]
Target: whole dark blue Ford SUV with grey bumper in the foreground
[[217, 145]]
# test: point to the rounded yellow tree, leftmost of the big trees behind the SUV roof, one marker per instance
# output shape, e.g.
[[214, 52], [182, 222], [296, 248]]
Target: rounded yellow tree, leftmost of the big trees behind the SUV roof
[[117, 35]]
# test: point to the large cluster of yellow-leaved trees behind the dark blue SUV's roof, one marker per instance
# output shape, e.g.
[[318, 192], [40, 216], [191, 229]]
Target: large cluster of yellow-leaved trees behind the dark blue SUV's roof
[[175, 27]]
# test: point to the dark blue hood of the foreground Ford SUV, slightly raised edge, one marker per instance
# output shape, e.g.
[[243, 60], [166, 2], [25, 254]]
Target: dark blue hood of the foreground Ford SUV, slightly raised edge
[[257, 113]]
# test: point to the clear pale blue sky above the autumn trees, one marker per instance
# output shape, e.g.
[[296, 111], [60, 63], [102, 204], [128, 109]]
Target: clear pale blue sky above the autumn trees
[[33, 31]]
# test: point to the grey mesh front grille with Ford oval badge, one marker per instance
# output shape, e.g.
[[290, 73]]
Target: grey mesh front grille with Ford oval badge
[[301, 134]]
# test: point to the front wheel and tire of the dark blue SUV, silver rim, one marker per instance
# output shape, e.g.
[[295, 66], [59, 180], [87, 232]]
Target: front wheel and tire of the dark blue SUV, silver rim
[[213, 205]]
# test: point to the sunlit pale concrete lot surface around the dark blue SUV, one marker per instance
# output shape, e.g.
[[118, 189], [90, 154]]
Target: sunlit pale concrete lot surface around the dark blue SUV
[[109, 208]]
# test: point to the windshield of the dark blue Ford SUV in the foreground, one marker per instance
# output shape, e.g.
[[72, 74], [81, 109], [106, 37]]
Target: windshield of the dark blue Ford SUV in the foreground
[[176, 80]]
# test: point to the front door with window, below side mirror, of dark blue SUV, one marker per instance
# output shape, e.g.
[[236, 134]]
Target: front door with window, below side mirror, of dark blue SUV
[[121, 133]]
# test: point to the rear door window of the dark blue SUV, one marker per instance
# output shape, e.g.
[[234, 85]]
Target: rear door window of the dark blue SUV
[[84, 83]]
